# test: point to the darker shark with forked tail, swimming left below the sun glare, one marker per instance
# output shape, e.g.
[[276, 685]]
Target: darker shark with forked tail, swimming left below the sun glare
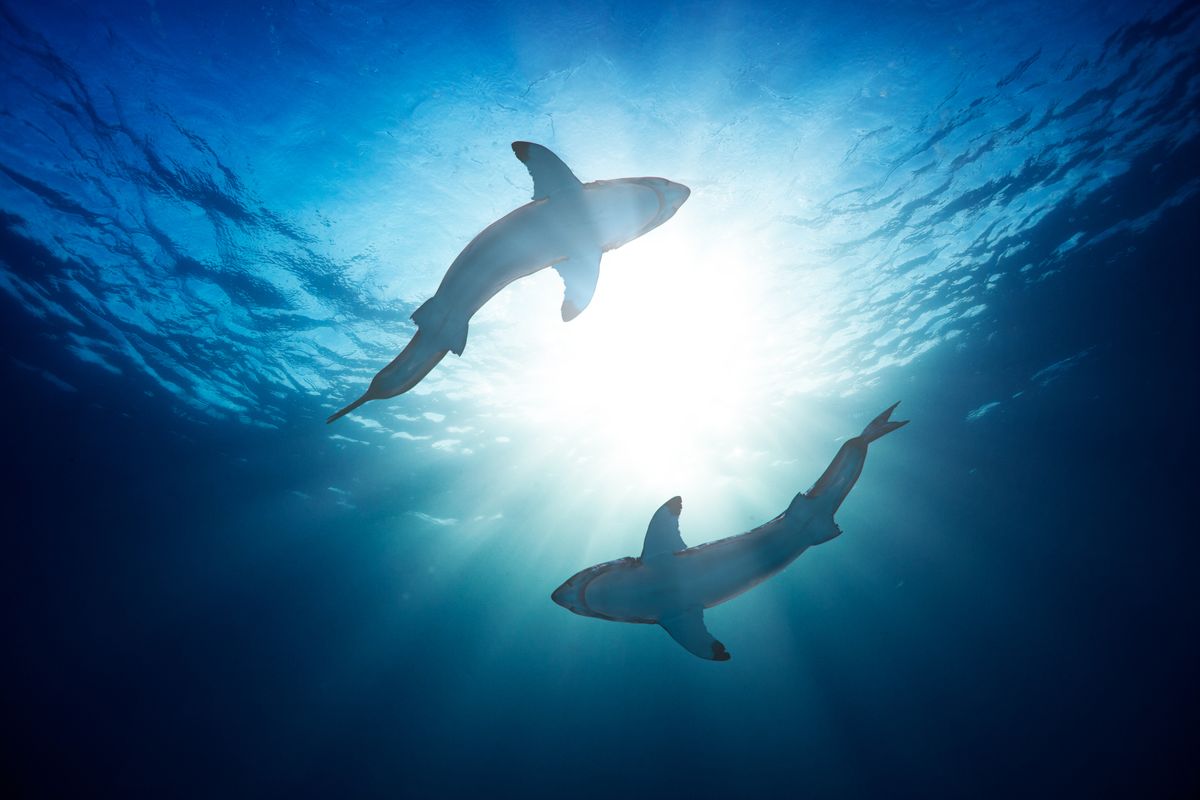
[[671, 585]]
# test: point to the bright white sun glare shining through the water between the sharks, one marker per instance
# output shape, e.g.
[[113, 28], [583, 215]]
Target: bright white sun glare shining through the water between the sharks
[[661, 371]]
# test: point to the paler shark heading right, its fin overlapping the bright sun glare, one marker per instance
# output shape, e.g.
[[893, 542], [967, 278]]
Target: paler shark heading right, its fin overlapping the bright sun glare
[[568, 226]]
